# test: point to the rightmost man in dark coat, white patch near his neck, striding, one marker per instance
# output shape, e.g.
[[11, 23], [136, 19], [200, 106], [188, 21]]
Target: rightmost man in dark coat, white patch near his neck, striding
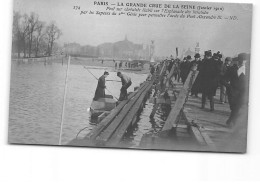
[[236, 84]]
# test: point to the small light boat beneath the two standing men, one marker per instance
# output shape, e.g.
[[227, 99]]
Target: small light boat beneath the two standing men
[[102, 105]]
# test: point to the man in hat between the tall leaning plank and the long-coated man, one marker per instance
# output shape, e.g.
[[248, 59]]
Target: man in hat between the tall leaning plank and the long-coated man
[[197, 64]]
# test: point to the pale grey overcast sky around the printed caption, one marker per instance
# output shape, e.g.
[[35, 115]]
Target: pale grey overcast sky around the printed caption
[[229, 37]]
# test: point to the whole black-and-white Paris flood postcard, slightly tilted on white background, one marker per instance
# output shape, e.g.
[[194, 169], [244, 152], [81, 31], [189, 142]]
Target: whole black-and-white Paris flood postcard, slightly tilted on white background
[[149, 75]]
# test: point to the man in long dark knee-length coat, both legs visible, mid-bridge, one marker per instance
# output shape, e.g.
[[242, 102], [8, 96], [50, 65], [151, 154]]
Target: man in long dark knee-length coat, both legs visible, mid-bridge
[[209, 79]]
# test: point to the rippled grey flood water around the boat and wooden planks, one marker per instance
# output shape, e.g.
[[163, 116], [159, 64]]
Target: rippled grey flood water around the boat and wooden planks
[[36, 99]]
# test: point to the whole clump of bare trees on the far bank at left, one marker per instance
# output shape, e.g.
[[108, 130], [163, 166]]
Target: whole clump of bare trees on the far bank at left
[[30, 34]]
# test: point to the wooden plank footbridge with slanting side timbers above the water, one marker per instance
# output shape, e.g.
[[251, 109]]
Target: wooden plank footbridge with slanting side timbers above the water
[[188, 127]]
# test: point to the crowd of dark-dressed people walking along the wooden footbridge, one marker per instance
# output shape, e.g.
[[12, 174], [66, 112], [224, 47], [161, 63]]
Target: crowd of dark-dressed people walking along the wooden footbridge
[[215, 73]]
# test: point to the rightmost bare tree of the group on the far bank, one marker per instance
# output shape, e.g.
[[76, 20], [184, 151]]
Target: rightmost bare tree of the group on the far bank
[[53, 33]]
